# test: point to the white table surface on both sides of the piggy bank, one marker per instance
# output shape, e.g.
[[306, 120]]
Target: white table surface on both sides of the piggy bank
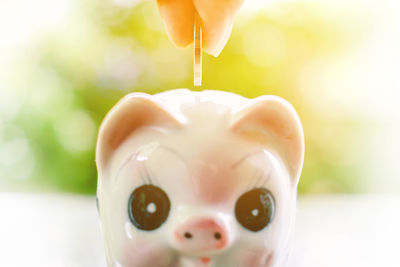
[[52, 230]]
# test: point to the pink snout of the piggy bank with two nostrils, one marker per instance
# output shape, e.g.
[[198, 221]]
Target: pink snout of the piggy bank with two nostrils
[[201, 236]]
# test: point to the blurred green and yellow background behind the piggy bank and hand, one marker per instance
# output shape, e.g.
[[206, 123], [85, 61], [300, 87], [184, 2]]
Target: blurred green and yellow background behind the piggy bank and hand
[[64, 64]]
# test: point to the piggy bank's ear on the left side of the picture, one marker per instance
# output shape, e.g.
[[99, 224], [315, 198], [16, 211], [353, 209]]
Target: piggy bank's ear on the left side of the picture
[[131, 113]]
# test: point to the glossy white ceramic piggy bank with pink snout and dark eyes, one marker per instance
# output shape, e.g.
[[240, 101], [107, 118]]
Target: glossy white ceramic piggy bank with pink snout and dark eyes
[[198, 179]]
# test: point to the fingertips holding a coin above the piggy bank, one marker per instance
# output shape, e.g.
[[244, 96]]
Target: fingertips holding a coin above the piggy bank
[[216, 16]]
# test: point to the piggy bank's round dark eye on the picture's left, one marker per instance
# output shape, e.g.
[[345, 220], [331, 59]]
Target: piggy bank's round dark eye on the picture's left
[[148, 207]]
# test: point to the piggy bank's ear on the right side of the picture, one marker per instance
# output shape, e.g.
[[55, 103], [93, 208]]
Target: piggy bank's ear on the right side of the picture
[[271, 121]]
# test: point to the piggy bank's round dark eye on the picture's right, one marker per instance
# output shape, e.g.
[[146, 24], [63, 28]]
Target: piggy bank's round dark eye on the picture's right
[[254, 209]]
